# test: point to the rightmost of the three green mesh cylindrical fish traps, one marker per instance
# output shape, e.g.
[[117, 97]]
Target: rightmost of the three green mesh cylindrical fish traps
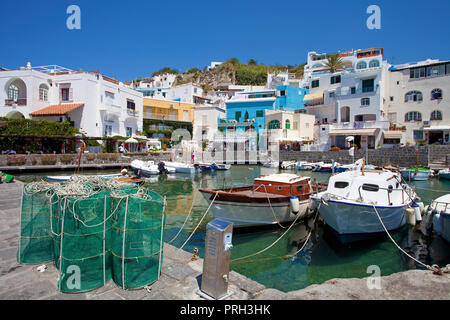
[[138, 225]]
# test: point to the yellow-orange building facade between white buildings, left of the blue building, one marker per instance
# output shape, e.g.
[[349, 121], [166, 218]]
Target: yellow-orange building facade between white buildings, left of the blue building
[[168, 110]]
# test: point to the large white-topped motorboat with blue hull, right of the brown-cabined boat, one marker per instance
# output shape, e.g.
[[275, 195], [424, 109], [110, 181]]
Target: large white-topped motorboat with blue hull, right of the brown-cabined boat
[[348, 205]]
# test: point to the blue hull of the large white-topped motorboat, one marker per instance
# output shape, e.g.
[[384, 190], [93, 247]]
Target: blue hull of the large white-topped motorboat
[[348, 219]]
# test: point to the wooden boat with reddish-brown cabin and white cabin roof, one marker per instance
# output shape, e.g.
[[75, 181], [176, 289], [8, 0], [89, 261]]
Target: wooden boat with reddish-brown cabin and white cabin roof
[[272, 199]]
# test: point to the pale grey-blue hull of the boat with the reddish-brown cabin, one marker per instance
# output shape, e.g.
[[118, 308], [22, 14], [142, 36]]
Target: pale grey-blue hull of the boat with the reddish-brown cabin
[[251, 214]]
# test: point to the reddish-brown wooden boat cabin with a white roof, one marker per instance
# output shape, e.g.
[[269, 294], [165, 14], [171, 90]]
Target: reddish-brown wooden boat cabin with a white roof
[[282, 184]]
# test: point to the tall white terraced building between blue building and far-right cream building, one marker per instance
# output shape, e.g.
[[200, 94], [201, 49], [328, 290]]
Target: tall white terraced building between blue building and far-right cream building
[[349, 101]]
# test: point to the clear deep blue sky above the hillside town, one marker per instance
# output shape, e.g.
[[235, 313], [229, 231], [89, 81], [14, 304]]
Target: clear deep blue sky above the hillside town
[[133, 38]]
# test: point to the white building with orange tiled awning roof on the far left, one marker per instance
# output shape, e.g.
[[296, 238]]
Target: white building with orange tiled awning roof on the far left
[[95, 104]]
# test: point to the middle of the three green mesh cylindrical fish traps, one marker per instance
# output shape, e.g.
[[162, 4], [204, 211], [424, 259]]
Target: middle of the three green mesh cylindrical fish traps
[[84, 242]]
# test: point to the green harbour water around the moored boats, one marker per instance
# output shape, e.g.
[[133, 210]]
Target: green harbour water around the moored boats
[[323, 258]]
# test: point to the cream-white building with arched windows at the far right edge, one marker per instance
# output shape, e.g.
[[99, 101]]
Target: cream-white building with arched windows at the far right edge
[[417, 99]]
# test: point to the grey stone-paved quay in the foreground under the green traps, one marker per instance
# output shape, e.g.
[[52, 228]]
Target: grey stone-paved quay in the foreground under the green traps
[[181, 277]]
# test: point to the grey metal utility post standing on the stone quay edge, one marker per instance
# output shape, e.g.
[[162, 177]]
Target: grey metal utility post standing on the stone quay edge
[[216, 265]]
